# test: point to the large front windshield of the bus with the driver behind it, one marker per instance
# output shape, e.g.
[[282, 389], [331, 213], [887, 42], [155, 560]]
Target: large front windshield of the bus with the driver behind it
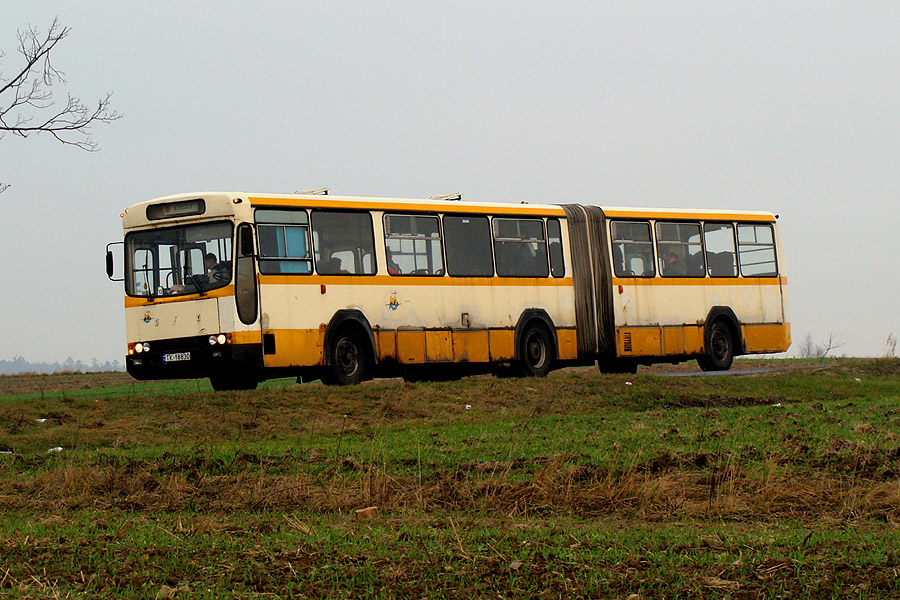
[[178, 260]]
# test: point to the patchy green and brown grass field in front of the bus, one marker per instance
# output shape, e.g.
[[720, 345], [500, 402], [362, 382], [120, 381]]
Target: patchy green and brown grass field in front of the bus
[[782, 484]]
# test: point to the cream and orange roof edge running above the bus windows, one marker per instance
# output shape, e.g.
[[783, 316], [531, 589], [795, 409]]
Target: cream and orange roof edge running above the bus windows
[[230, 203]]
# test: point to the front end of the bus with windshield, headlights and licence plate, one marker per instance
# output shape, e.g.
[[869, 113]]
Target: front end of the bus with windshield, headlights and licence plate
[[190, 302]]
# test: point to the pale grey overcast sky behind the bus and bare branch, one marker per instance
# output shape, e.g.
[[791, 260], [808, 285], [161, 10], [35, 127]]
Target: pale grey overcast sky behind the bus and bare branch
[[792, 107]]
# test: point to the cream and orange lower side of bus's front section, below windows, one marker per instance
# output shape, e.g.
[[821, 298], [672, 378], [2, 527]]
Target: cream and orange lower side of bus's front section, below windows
[[414, 320]]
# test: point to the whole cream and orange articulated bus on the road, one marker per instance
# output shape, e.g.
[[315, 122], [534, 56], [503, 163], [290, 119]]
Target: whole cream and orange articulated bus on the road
[[245, 287]]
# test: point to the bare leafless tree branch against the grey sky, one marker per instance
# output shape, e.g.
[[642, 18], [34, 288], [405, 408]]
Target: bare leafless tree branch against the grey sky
[[26, 101]]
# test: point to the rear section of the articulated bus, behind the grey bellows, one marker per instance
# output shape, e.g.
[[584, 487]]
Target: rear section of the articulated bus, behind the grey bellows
[[697, 285]]
